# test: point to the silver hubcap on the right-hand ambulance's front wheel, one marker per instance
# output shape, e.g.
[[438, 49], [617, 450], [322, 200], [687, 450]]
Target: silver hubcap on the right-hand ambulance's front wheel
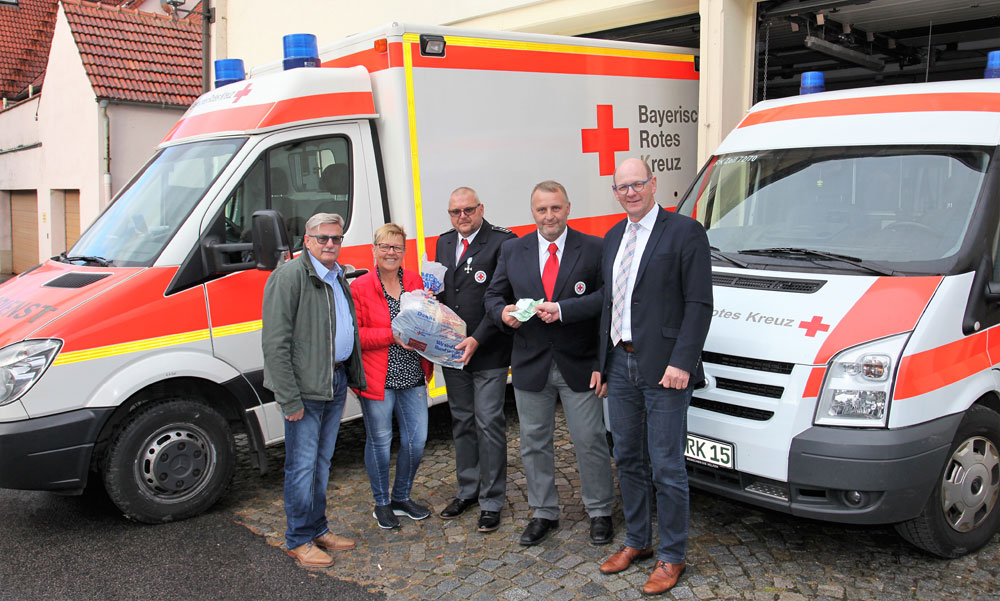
[[971, 484]]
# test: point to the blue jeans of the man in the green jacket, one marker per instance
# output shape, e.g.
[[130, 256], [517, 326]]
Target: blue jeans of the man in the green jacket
[[309, 444]]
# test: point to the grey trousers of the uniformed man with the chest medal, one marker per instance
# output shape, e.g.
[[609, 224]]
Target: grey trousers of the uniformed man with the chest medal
[[479, 428]]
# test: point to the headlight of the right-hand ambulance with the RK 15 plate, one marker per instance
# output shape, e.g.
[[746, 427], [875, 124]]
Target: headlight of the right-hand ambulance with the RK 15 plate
[[857, 385]]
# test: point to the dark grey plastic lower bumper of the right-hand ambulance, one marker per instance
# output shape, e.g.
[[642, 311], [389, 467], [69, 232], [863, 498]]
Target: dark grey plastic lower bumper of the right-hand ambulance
[[893, 470]]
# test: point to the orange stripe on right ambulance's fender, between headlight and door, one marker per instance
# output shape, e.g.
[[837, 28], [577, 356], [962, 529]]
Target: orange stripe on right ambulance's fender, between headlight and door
[[936, 368]]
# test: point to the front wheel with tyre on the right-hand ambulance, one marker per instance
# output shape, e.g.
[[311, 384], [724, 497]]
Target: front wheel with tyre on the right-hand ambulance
[[962, 513]]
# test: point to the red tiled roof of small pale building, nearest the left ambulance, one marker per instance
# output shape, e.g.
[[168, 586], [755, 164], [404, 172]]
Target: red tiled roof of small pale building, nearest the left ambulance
[[137, 56]]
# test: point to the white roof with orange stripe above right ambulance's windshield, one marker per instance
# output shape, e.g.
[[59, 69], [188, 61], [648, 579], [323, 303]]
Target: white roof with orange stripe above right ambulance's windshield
[[953, 113]]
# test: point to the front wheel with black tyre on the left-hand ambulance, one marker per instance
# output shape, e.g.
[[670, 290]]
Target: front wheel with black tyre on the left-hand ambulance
[[172, 460]]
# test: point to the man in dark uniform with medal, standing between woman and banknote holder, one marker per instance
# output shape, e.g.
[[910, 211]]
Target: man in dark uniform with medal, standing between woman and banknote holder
[[475, 393]]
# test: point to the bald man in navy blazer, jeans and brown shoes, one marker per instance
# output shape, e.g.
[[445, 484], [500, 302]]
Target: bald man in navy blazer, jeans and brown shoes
[[657, 306]]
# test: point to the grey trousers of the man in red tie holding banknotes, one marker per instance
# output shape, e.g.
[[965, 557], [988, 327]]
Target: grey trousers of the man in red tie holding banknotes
[[585, 418]]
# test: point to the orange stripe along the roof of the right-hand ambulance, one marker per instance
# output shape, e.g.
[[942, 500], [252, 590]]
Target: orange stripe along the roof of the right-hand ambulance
[[901, 103]]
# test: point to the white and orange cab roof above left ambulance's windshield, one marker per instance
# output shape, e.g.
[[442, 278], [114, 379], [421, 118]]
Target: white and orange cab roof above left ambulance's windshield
[[297, 96]]
